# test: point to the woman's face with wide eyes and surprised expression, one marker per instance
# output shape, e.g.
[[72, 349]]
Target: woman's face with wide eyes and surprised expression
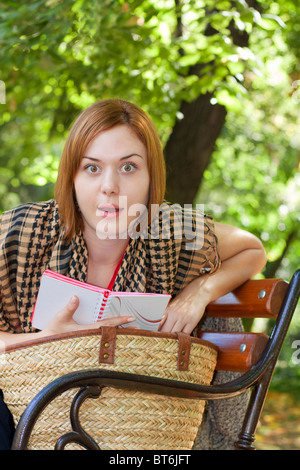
[[112, 180]]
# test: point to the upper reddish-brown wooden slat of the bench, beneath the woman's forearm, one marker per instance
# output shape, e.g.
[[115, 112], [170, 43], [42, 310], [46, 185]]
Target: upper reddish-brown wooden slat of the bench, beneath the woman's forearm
[[255, 299]]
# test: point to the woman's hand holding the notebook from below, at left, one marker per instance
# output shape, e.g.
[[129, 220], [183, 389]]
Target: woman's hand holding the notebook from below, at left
[[63, 321]]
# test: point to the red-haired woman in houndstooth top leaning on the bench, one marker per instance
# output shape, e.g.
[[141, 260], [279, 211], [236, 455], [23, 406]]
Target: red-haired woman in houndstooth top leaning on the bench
[[112, 163]]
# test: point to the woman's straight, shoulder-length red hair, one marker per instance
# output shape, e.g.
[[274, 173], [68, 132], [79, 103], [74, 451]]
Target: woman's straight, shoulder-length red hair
[[99, 117]]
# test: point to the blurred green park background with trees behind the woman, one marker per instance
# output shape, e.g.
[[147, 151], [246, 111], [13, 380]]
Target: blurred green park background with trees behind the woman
[[220, 79]]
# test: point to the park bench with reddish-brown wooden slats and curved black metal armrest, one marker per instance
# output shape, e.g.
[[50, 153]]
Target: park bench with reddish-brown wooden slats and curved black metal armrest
[[254, 355]]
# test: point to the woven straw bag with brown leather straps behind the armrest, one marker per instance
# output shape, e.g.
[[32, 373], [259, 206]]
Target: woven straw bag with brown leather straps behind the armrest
[[118, 419]]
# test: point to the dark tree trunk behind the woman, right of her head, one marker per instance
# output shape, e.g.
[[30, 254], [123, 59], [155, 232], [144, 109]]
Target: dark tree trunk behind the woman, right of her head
[[190, 146]]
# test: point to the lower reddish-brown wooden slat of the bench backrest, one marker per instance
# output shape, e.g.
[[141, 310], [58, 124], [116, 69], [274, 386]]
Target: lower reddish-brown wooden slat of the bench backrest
[[238, 352]]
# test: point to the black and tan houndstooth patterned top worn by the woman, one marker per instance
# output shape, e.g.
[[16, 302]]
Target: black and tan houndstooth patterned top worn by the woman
[[179, 245]]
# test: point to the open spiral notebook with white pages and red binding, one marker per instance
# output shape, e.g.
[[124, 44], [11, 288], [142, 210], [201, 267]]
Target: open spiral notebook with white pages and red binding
[[96, 303]]
